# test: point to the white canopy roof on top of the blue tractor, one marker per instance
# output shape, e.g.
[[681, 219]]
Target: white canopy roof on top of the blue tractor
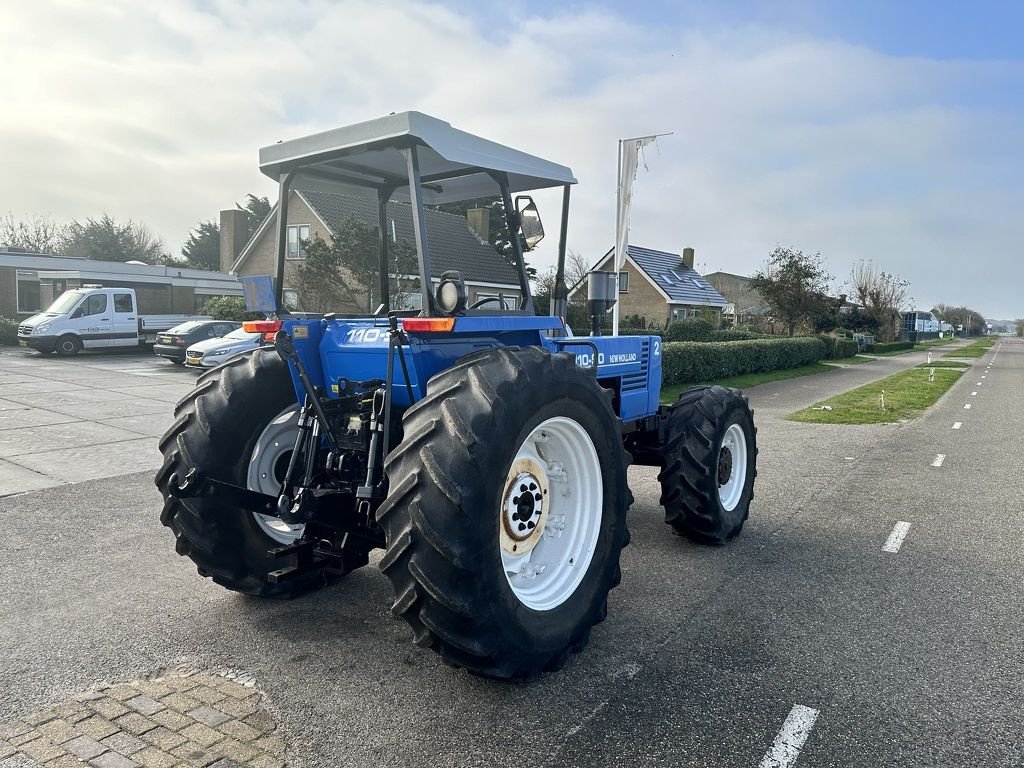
[[361, 158]]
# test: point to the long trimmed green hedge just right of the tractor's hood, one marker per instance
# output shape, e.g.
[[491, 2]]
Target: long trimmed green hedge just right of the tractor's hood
[[691, 362]]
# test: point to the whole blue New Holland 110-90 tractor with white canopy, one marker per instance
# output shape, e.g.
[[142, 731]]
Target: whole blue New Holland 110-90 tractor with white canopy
[[485, 449]]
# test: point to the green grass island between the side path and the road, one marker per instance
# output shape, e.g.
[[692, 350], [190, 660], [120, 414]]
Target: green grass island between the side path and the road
[[908, 395]]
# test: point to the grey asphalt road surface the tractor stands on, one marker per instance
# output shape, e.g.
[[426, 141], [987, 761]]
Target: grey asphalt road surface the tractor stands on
[[912, 658]]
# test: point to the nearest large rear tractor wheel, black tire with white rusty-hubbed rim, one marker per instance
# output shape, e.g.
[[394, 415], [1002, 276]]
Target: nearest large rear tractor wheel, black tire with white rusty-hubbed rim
[[506, 433]]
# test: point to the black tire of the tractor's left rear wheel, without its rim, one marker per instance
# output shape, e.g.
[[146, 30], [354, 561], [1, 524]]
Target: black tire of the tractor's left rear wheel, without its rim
[[217, 431]]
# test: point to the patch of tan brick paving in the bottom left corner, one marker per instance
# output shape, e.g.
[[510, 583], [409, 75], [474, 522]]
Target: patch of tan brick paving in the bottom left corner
[[183, 719]]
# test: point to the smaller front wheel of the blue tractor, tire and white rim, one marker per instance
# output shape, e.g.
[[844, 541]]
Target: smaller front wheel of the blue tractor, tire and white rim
[[709, 464]]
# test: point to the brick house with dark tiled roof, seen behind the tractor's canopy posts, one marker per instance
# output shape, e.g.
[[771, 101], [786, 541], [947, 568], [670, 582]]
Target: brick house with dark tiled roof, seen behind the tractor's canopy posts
[[311, 215]]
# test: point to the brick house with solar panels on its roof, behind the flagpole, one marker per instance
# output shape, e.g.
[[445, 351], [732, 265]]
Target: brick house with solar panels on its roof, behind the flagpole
[[662, 287]]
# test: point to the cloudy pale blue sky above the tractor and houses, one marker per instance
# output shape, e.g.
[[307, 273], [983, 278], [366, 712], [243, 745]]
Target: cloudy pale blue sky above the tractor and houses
[[881, 131]]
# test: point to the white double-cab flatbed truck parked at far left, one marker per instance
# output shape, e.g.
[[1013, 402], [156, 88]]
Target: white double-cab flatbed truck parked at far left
[[95, 318]]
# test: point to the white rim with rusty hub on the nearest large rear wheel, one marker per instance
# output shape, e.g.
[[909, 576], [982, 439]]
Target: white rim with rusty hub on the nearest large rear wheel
[[547, 541]]
